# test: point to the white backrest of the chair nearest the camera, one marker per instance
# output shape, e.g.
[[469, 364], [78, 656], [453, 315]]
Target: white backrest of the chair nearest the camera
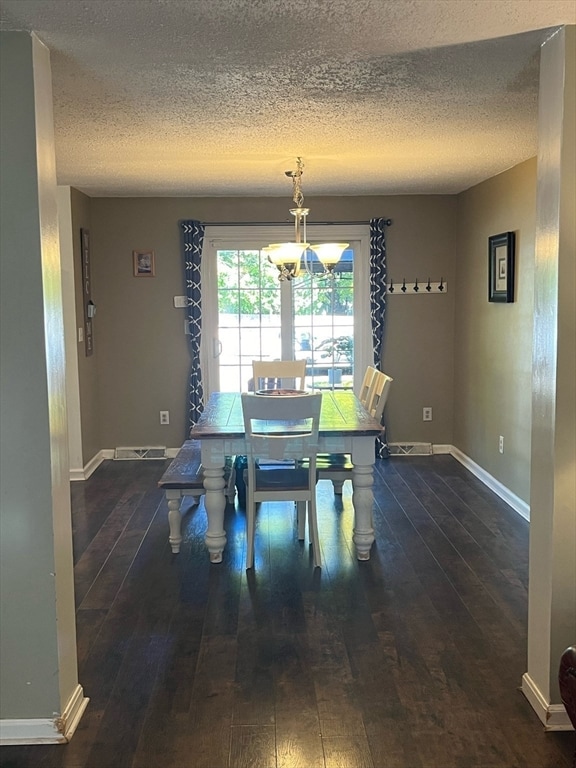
[[281, 427]]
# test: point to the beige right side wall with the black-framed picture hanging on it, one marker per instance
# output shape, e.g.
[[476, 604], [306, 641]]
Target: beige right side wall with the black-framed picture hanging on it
[[493, 342]]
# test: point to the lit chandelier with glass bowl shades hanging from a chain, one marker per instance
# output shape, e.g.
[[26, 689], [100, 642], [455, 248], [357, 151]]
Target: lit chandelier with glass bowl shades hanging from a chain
[[287, 257]]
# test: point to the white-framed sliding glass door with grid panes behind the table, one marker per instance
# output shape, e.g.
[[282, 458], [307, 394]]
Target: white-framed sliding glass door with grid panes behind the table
[[248, 314]]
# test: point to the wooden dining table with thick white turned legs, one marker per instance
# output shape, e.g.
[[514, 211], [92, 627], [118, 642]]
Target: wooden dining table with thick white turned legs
[[345, 428]]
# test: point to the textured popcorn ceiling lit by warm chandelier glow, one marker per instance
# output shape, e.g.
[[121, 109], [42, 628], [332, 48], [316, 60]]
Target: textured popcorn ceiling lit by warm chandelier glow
[[218, 97]]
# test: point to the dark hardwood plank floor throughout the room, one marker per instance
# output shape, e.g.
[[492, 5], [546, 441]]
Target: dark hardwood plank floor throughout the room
[[411, 660]]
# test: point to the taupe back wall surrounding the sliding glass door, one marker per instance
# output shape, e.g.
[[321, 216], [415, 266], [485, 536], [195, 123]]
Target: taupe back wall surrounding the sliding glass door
[[141, 355]]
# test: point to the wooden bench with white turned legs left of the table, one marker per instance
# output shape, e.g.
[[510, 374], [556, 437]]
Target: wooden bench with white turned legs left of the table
[[184, 477]]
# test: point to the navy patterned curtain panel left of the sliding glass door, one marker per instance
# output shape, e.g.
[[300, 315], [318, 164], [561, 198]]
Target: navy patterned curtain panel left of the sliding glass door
[[192, 233]]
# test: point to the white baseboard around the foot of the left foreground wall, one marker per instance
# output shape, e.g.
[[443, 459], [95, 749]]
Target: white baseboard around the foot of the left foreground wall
[[44, 730]]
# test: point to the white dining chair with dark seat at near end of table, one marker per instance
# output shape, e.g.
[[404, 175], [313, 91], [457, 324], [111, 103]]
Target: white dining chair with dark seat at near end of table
[[266, 421]]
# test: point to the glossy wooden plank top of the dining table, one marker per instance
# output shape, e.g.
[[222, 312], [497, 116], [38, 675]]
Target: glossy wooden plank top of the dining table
[[342, 414]]
